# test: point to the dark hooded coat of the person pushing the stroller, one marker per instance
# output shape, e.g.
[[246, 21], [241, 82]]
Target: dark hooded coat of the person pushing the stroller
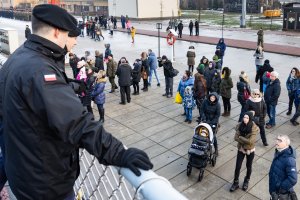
[[210, 111]]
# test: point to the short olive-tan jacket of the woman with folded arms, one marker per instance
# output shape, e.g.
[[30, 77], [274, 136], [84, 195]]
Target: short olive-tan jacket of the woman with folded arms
[[246, 142]]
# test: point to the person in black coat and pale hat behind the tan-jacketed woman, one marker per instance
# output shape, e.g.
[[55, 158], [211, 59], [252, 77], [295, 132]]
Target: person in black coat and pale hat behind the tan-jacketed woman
[[257, 104]]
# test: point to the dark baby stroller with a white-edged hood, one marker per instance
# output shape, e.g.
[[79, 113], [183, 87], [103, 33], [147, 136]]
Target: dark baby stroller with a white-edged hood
[[200, 151]]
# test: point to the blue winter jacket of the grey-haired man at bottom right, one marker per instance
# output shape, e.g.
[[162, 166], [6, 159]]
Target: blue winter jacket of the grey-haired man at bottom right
[[283, 172]]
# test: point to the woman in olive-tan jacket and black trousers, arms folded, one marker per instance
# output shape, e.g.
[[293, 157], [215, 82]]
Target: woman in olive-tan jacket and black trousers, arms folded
[[245, 135]]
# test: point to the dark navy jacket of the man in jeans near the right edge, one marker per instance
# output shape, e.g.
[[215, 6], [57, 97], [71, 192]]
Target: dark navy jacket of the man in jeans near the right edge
[[272, 92]]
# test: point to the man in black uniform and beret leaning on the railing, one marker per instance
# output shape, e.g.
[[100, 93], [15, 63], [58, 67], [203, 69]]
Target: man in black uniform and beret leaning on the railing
[[44, 122]]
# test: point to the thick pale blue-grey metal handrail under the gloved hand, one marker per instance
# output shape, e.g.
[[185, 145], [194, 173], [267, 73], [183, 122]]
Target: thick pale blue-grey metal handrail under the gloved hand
[[151, 186]]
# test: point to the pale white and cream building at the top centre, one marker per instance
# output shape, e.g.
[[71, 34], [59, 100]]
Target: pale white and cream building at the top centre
[[144, 9]]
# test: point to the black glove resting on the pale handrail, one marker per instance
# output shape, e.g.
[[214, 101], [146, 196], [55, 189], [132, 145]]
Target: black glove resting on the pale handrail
[[133, 159]]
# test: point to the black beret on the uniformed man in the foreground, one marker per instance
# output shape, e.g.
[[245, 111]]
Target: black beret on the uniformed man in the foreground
[[55, 16]]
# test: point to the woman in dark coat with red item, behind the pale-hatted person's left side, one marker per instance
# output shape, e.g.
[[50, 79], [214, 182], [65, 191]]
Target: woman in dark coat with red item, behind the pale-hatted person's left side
[[243, 87]]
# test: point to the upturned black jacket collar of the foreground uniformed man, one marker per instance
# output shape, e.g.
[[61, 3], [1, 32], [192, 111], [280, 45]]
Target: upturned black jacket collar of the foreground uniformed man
[[46, 47]]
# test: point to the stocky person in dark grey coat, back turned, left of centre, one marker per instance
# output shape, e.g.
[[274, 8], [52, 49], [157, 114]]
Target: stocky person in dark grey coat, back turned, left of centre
[[124, 73]]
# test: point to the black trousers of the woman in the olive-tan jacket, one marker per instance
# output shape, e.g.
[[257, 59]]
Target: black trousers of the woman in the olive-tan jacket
[[239, 161]]
